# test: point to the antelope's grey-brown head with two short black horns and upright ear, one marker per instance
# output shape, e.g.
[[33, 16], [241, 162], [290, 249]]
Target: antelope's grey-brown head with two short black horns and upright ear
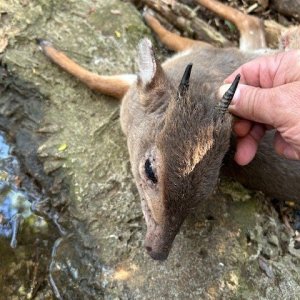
[[176, 144]]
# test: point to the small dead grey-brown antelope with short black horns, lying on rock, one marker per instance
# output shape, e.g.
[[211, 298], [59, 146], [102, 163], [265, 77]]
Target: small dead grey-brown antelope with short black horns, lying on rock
[[178, 130]]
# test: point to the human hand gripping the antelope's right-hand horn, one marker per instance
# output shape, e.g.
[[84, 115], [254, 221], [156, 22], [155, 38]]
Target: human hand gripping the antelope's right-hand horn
[[267, 97]]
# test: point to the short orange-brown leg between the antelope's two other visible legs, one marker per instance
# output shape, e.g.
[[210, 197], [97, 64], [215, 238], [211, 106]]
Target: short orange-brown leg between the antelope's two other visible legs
[[171, 40]]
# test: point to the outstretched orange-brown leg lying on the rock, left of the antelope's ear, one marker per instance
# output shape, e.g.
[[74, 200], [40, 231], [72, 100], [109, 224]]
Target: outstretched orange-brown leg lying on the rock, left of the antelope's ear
[[115, 86]]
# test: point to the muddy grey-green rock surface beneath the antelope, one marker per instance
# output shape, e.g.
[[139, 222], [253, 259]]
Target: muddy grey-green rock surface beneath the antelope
[[71, 149]]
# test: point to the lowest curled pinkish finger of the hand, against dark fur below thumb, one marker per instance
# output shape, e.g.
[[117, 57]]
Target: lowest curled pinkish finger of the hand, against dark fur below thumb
[[247, 146]]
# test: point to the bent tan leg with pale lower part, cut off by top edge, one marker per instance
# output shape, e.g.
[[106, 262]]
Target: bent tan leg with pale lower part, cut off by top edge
[[252, 33]]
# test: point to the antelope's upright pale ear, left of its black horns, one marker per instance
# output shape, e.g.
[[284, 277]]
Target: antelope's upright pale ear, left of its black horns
[[149, 68]]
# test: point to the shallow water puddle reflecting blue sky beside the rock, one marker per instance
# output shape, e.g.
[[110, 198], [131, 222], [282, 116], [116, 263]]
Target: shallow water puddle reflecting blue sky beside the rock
[[24, 237]]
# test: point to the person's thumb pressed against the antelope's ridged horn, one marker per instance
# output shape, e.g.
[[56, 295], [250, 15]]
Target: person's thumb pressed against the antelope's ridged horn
[[252, 103]]
